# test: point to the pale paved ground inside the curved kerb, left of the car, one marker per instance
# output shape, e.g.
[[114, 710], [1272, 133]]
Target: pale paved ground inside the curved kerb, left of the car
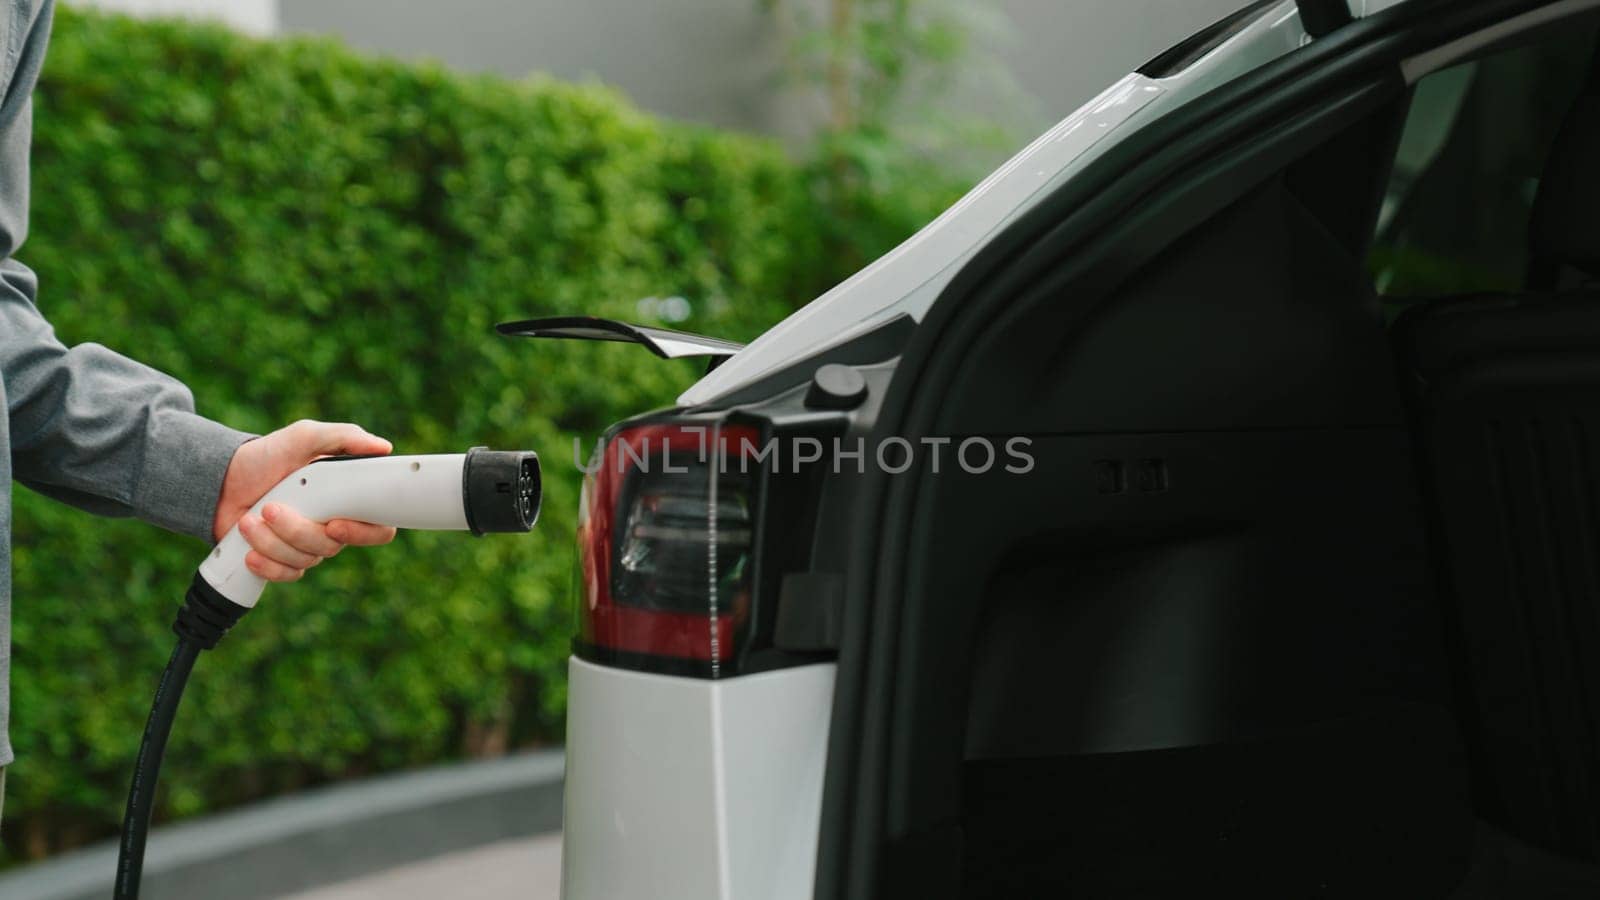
[[522, 870]]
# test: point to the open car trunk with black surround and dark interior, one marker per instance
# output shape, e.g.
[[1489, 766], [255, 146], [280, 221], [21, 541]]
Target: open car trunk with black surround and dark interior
[[1297, 601]]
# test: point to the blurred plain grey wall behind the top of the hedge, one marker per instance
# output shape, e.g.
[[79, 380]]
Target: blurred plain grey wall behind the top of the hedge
[[721, 62]]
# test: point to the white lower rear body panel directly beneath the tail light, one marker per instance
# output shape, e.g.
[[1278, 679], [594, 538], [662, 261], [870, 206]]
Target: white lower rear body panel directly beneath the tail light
[[692, 789]]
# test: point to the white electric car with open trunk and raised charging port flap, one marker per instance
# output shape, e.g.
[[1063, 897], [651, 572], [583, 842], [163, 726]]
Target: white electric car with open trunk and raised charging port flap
[[1206, 505]]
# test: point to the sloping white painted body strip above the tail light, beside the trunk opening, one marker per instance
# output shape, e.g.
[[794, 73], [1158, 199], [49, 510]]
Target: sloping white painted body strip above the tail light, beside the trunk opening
[[908, 279]]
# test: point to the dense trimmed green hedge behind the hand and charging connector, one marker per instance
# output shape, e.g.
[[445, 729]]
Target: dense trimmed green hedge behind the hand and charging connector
[[298, 231]]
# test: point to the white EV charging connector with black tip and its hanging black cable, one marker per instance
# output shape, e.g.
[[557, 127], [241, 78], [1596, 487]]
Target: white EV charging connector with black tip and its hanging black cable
[[479, 491]]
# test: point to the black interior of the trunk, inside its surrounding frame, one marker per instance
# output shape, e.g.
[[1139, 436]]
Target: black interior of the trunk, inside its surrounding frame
[[1297, 603]]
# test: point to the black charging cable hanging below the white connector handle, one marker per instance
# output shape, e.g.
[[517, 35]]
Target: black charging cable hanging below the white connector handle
[[204, 619]]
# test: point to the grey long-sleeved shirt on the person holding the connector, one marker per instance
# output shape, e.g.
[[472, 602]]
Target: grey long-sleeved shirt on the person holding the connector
[[87, 425]]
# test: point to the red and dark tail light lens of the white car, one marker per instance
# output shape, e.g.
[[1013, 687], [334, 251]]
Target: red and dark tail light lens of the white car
[[666, 540]]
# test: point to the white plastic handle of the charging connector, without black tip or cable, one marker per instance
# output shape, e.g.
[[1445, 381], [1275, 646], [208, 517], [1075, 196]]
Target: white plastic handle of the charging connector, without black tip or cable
[[407, 492]]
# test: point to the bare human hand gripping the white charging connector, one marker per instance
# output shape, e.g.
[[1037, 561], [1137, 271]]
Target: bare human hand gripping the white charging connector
[[284, 544]]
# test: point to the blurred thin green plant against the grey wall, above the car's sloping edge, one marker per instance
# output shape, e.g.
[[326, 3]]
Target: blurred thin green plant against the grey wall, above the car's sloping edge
[[897, 81]]
